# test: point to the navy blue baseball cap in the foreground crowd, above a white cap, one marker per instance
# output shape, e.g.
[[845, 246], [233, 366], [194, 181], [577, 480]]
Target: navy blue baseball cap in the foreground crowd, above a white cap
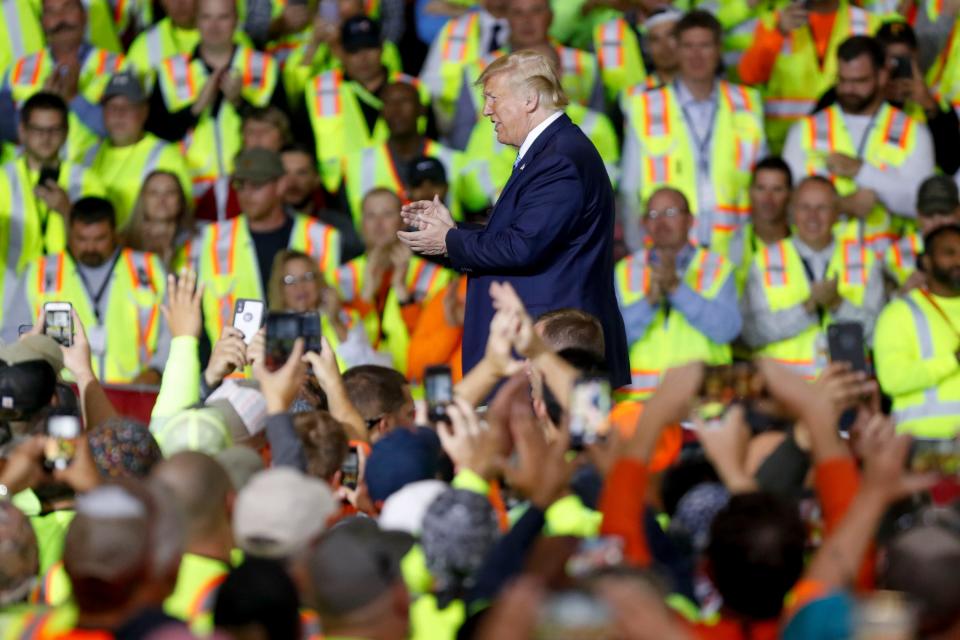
[[401, 457]]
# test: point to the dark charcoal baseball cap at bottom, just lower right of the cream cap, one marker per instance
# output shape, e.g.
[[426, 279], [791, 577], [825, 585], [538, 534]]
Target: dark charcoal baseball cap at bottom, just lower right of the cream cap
[[355, 563]]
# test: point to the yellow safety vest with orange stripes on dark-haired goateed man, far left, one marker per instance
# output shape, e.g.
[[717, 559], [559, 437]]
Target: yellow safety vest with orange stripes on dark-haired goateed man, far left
[[131, 326]]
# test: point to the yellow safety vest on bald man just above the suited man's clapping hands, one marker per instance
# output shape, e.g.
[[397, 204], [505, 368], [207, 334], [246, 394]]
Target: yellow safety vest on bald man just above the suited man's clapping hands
[[373, 167]]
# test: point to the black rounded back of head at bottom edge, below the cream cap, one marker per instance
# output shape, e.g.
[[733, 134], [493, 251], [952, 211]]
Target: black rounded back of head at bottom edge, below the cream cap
[[259, 593]]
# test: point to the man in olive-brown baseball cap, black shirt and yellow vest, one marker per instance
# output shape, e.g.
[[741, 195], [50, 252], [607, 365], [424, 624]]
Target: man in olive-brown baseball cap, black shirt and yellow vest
[[234, 257]]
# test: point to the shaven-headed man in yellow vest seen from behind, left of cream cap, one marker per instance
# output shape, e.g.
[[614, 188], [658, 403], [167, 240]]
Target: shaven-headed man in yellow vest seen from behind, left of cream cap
[[204, 492]]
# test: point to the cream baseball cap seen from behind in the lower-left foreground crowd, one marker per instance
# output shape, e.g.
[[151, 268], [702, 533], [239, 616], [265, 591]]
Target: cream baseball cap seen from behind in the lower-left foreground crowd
[[280, 512]]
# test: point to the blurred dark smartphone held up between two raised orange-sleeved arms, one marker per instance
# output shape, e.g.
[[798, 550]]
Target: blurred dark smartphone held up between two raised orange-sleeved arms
[[743, 384]]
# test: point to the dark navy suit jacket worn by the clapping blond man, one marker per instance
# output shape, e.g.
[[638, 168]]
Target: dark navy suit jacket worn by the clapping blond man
[[551, 236]]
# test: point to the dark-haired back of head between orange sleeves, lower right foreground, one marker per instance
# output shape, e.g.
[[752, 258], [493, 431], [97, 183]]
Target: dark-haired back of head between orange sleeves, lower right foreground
[[756, 553]]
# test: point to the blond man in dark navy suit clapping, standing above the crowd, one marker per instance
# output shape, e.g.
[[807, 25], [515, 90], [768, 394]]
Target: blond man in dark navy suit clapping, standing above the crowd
[[551, 232]]
